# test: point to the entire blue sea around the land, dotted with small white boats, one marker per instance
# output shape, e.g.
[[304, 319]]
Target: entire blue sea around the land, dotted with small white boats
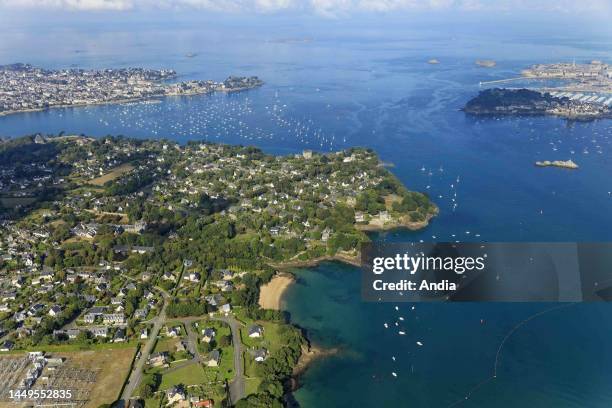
[[335, 84]]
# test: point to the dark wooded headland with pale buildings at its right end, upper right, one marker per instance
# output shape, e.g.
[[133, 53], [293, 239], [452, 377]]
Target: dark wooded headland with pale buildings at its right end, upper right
[[499, 101]]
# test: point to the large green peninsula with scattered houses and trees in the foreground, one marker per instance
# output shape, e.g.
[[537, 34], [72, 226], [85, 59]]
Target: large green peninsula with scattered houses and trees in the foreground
[[156, 252]]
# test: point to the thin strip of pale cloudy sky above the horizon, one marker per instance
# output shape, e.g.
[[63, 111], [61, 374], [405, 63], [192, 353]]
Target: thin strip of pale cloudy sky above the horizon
[[324, 8]]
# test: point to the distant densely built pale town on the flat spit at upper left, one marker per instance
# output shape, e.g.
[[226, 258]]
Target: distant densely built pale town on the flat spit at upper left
[[26, 88]]
